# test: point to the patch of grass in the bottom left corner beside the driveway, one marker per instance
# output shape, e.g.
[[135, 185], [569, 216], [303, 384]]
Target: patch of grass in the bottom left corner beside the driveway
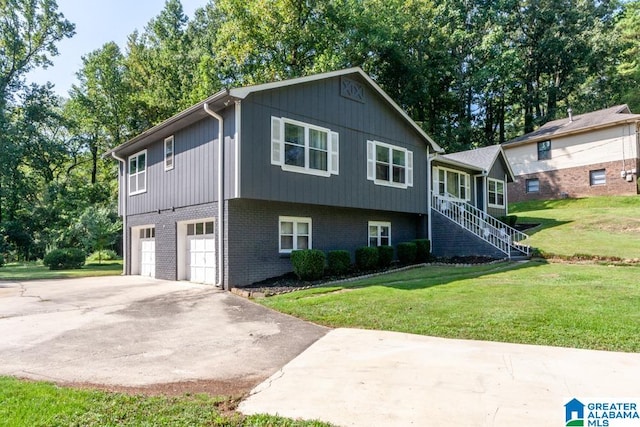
[[26, 403]]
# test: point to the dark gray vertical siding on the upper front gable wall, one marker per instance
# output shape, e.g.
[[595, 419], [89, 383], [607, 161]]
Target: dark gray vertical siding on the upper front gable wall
[[319, 103]]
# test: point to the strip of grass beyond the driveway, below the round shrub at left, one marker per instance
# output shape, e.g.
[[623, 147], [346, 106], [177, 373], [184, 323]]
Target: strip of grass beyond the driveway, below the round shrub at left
[[33, 271]]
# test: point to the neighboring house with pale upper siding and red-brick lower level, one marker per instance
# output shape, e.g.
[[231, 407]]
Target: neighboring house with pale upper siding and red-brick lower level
[[590, 154]]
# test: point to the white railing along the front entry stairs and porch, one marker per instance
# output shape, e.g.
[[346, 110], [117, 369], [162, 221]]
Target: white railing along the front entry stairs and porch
[[483, 225]]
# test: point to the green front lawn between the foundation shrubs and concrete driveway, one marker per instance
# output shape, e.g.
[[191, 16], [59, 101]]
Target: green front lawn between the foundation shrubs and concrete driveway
[[569, 305]]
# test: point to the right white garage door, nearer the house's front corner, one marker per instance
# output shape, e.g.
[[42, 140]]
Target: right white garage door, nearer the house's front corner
[[201, 257]]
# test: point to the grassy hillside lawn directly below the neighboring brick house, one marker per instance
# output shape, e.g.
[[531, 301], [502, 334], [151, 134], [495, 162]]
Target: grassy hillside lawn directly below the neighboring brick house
[[607, 227]]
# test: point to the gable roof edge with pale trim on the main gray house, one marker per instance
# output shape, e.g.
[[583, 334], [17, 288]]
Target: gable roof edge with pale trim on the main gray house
[[221, 99]]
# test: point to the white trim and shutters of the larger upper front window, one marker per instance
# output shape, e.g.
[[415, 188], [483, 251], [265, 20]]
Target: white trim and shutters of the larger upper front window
[[278, 148]]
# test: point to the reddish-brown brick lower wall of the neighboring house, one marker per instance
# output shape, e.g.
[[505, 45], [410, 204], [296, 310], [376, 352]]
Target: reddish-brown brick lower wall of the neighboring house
[[574, 182]]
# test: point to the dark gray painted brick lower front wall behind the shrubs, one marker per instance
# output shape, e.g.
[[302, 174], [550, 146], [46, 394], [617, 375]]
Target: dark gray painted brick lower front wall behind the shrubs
[[253, 227]]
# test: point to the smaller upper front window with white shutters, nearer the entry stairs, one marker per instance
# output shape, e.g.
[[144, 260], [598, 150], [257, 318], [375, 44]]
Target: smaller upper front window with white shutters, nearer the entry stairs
[[389, 165]]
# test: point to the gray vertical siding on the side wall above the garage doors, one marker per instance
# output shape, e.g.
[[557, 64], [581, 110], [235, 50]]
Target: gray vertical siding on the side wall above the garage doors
[[194, 178]]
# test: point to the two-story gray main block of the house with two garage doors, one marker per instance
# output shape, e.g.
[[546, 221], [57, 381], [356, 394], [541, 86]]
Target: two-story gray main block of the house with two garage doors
[[222, 192]]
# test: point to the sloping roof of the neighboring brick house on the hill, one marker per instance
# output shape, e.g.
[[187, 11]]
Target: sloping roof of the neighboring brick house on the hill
[[581, 123]]
